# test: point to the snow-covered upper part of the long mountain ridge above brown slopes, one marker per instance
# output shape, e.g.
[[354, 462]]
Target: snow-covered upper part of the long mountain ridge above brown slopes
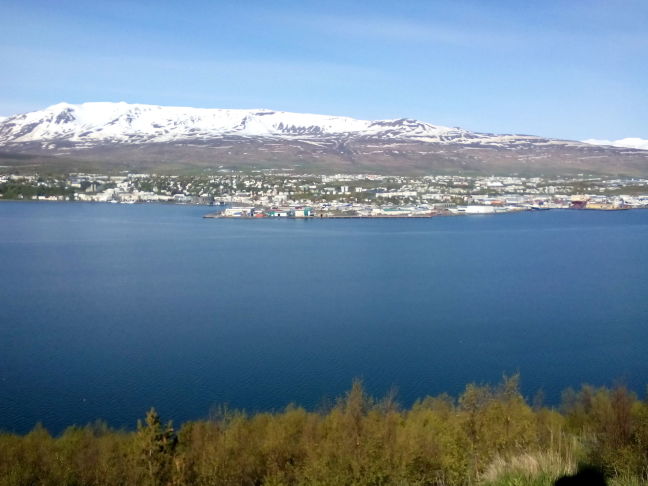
[[91, 123]]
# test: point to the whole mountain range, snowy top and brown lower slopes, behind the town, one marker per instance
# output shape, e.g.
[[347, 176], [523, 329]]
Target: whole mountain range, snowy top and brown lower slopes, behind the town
[[117, 136]]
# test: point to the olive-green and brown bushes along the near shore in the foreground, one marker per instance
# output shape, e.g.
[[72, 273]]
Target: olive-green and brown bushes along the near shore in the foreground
[[489, 436]]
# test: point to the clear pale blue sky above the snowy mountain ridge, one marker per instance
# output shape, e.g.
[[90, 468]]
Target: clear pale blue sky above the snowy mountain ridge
[[571, 69]]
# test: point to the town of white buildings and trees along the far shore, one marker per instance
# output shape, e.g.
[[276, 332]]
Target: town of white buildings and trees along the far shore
[[282, 193]]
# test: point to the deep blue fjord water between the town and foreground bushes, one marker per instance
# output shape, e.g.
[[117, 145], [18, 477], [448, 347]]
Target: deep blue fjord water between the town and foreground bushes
[[107, 310]]
